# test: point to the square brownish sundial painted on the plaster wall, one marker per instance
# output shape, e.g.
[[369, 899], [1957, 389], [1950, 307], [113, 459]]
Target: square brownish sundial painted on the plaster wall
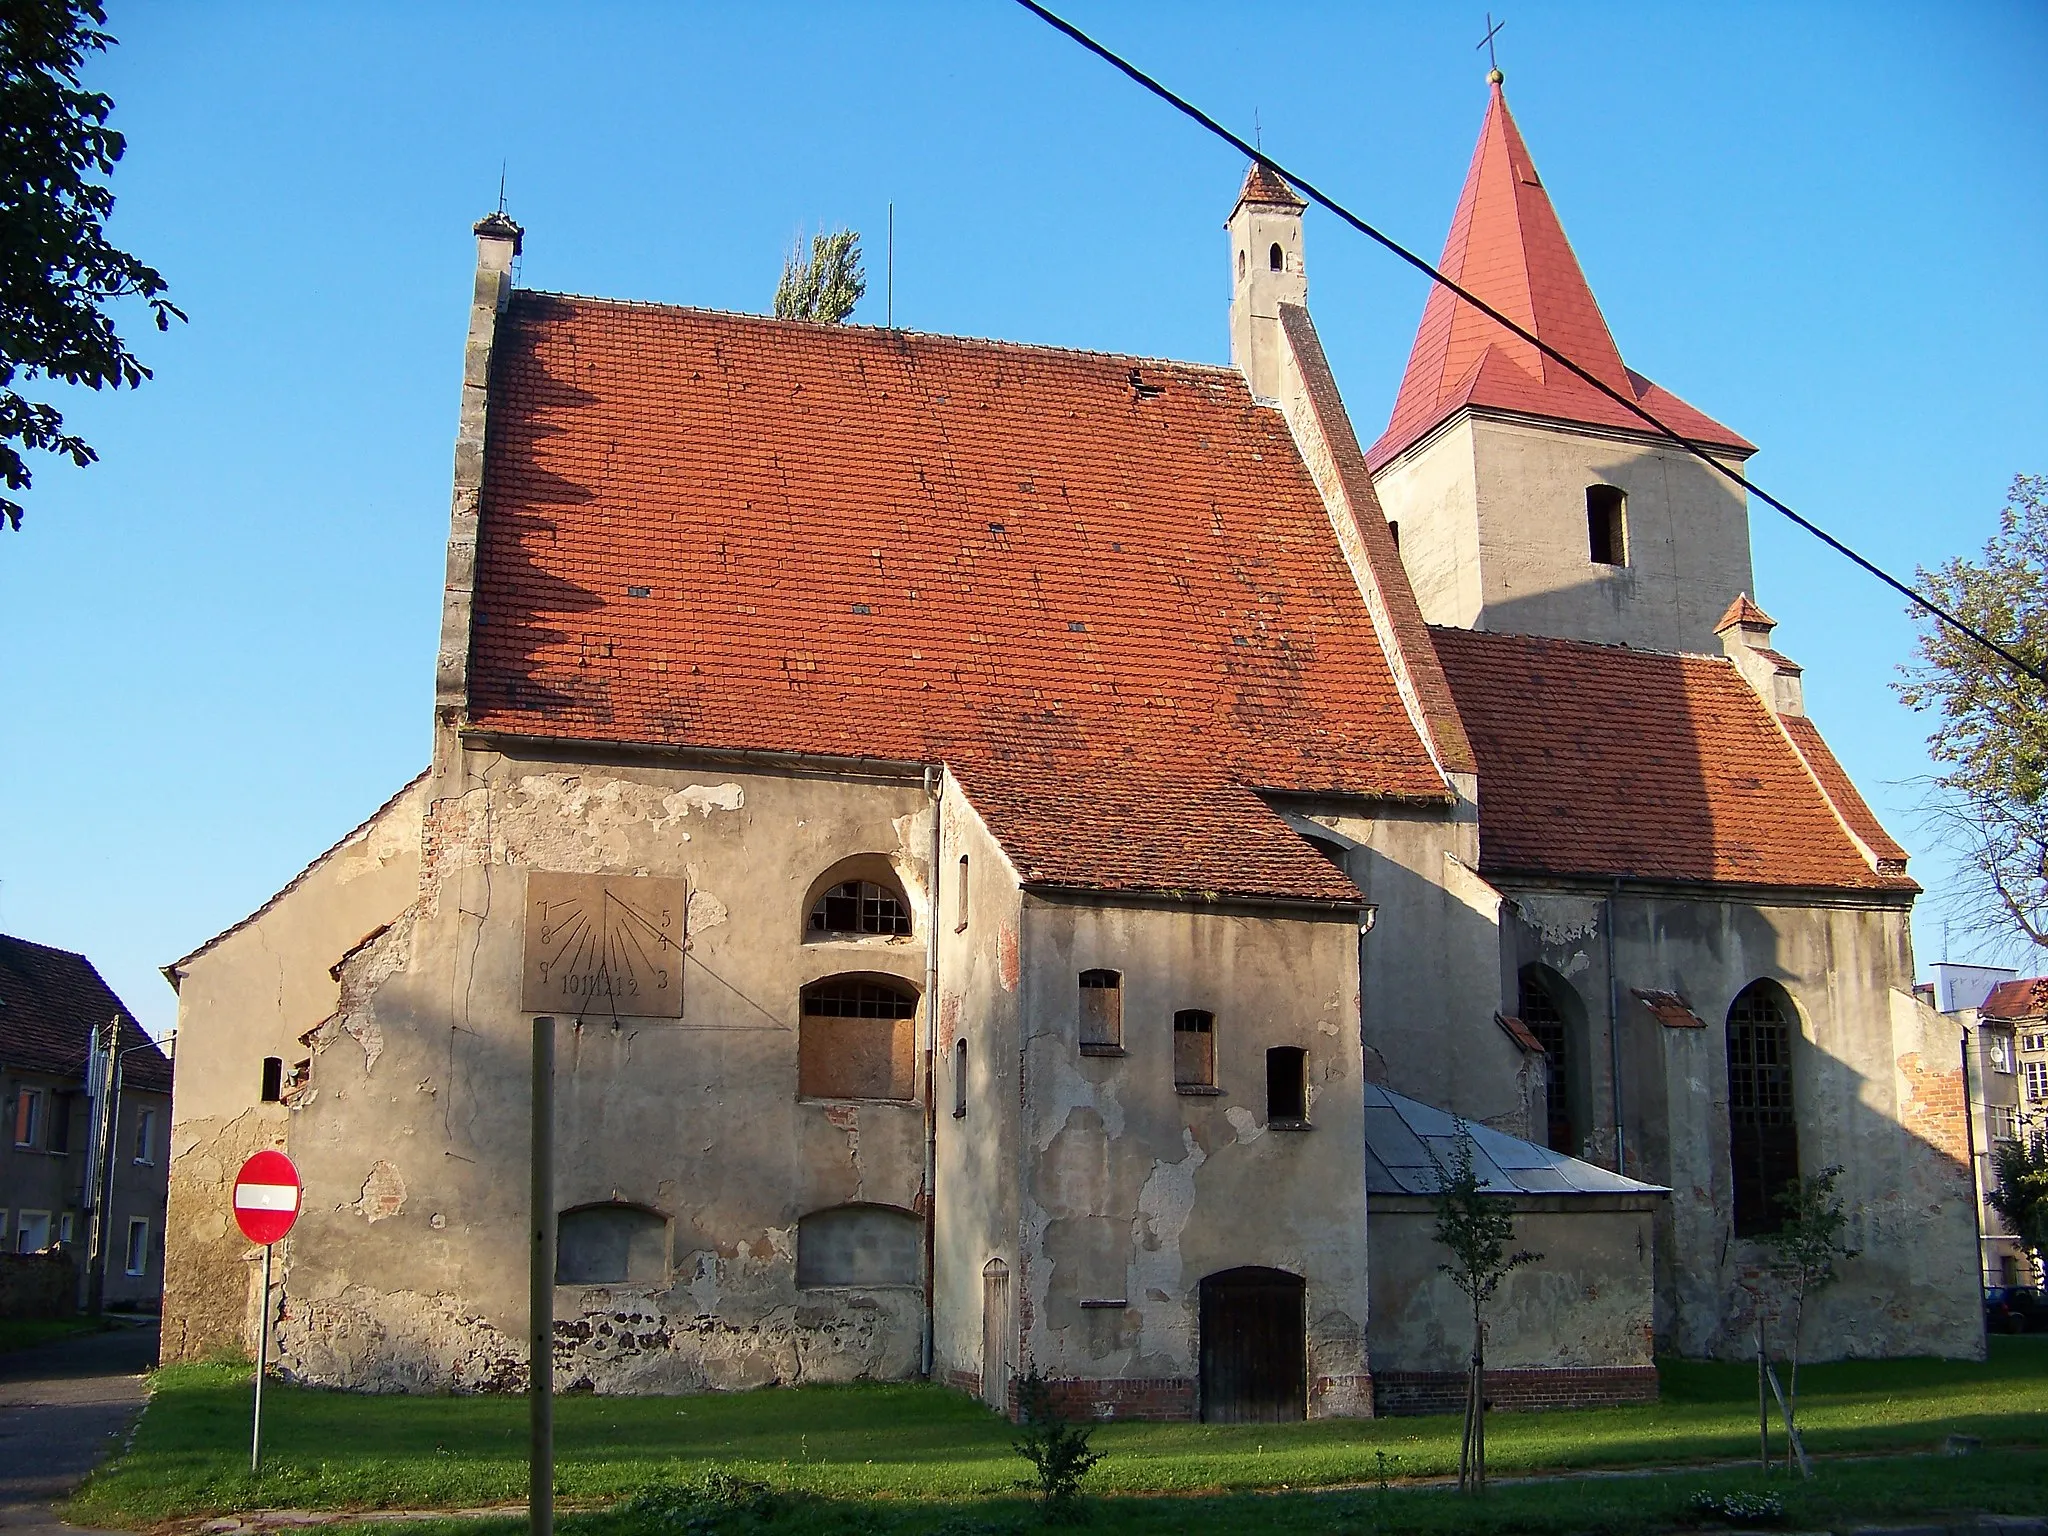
[[603, 945]]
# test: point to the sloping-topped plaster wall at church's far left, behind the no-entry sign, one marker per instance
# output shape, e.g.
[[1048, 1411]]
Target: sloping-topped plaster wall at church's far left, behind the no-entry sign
[[249, 996]]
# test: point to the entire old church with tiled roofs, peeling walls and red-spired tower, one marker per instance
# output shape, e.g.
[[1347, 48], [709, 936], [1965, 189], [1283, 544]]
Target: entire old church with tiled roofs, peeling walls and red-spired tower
[[1033, 853]]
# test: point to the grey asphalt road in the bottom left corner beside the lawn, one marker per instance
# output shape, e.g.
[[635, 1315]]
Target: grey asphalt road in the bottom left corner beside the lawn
[[65, 1408]]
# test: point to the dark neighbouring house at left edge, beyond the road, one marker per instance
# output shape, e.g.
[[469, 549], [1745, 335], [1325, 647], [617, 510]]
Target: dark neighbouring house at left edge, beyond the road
[[56, 1017]]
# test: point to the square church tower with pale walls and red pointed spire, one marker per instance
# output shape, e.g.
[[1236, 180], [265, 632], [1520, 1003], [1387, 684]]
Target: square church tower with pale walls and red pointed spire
[[1523, 499]]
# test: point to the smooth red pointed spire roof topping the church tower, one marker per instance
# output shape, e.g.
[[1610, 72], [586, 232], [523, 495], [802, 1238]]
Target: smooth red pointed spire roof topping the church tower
[[1508, 247]]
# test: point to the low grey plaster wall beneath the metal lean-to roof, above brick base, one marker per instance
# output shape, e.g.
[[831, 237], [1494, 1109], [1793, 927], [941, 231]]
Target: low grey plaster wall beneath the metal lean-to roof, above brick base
[[1584, 1306]]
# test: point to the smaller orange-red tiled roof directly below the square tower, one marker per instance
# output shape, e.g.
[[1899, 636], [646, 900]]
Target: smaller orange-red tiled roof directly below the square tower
[[1613, 763]]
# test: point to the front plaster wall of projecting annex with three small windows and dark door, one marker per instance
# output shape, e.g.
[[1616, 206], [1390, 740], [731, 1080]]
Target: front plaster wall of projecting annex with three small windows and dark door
[[1136, 1193]]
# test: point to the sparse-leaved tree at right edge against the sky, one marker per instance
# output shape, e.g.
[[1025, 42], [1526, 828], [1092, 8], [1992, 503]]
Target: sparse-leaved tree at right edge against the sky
[[1990, 800]]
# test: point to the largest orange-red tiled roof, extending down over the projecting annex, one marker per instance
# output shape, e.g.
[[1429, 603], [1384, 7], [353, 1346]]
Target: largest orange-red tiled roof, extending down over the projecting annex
[[1103, 589]]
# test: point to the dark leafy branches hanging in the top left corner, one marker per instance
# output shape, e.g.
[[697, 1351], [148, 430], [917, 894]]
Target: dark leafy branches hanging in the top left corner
[[58, 273]]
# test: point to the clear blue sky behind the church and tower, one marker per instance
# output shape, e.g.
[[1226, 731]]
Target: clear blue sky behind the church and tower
[[1826, 226]]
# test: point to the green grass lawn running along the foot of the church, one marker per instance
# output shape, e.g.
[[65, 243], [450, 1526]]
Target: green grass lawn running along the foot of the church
[[943, 1453]]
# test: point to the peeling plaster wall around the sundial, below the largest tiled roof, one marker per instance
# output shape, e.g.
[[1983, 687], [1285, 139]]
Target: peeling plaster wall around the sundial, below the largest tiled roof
[[409, 1269]]
